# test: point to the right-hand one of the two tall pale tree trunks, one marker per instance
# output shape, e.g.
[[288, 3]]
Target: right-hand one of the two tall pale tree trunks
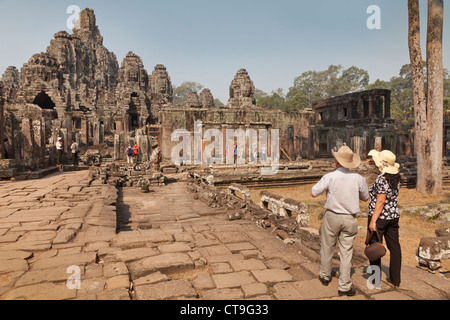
[[435, 104]]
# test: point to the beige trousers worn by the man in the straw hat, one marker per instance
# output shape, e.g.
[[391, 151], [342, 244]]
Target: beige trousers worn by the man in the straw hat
[[338, 229]]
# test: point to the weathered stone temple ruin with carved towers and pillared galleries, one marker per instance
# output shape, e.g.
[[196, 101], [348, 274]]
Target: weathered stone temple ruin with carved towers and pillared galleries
[[77, 90]]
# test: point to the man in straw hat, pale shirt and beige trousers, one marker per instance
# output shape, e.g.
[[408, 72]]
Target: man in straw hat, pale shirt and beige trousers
[[344, 189]]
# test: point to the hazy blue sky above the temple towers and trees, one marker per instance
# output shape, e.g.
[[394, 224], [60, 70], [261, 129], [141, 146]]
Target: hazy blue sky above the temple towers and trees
[[208, 41]]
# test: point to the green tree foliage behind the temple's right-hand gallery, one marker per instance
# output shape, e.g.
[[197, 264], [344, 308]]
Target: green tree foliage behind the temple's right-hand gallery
[[314, 86]]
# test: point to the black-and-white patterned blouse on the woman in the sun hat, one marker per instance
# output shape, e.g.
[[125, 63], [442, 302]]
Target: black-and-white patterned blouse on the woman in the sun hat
[[390, 210]]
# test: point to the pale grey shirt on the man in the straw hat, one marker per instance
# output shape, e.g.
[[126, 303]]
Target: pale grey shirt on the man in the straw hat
[[344, 189]]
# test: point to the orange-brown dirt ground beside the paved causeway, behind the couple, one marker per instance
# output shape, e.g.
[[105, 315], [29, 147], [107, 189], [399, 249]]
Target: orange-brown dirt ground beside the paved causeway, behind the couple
[[412, 228]]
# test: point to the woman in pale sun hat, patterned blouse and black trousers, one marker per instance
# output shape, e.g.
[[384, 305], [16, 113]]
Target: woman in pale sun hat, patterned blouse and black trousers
[[384, 214]]
